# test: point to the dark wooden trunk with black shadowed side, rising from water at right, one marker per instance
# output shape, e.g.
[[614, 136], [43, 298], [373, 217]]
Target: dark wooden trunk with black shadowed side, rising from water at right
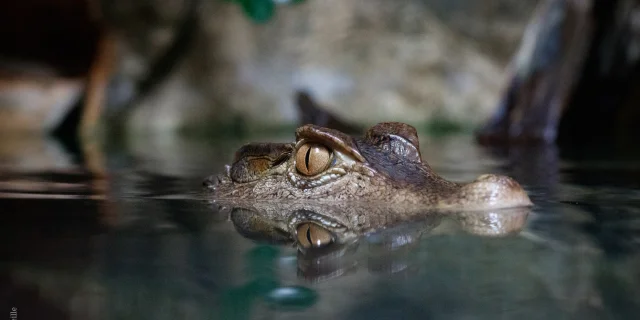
[[574, 79]]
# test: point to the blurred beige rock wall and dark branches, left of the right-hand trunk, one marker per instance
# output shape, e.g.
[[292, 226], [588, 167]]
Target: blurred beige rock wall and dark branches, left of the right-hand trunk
[[207, 64]]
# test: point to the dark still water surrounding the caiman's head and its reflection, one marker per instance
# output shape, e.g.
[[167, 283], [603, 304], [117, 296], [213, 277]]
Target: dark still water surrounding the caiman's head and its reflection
[[123, 233]]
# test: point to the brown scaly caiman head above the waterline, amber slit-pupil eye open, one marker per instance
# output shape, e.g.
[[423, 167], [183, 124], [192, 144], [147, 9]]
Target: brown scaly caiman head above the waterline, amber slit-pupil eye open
[[385, 166]]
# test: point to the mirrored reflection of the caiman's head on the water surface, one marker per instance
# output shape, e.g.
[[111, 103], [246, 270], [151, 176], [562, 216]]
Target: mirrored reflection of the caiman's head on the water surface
[[328, 235]]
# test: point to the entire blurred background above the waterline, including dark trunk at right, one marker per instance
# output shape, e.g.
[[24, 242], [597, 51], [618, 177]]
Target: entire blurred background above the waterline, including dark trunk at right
[[544, 69]]
